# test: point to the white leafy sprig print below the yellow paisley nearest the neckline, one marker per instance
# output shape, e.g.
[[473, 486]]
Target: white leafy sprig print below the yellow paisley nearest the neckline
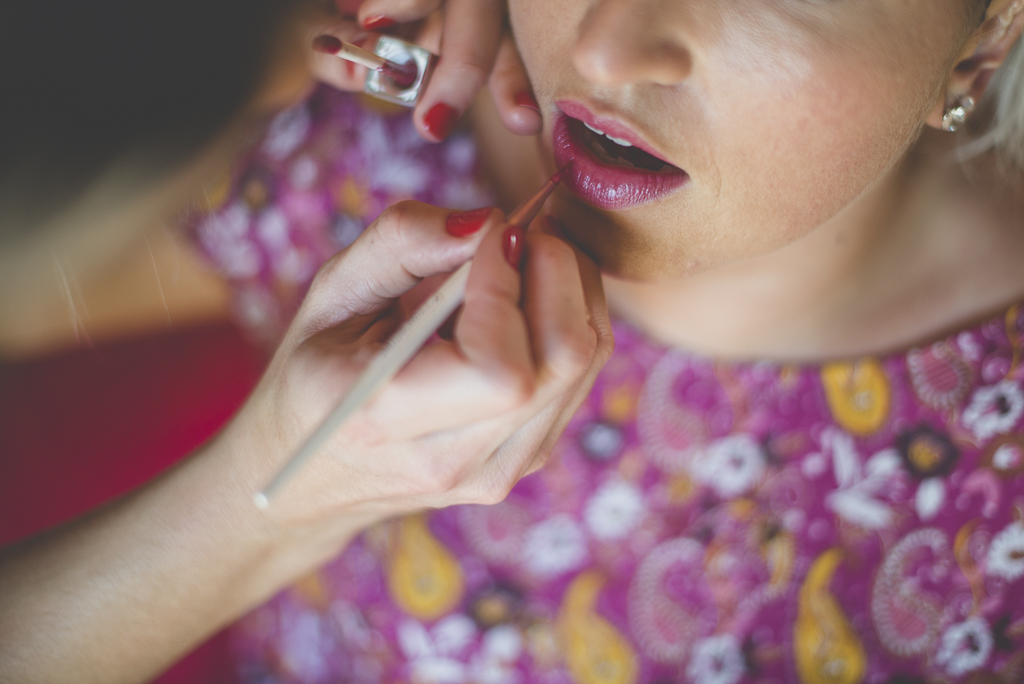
[[859, 498]]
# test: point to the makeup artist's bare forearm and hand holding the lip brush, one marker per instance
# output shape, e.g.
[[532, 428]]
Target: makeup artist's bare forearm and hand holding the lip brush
[[120, 594]]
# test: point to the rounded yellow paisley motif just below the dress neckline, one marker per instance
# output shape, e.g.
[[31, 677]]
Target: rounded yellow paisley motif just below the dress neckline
[[859, 395]]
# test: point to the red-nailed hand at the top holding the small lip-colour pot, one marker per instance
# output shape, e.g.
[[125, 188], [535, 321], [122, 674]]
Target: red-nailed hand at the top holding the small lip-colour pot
[[477, 51]]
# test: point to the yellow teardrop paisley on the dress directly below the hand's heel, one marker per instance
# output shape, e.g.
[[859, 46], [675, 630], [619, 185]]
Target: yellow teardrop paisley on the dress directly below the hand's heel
[[424, 578]]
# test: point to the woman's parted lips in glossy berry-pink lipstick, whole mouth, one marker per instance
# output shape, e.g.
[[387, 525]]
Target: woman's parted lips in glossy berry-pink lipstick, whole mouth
[[611, 167]]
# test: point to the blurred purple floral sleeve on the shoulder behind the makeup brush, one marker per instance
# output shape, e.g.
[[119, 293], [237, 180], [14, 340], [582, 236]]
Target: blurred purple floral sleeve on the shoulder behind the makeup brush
[[311, 184]]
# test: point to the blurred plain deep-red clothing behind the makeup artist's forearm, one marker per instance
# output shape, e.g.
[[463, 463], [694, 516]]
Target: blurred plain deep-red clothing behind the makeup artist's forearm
[[80, 429]]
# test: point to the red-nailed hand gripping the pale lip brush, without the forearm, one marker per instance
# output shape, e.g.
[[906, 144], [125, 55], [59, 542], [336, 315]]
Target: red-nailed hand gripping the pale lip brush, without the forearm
[[467, 417]]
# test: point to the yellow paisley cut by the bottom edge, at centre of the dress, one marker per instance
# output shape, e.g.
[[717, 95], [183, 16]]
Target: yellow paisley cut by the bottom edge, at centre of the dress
[[595, 652]]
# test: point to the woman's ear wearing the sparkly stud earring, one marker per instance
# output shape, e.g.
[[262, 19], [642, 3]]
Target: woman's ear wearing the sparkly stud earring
[[983, 55]]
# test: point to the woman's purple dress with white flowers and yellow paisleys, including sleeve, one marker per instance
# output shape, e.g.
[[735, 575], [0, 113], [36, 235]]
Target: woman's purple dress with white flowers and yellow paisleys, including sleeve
[[699, 522]]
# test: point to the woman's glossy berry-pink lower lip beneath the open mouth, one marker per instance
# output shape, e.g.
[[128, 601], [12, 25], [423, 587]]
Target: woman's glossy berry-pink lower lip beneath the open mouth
[[605, 186]]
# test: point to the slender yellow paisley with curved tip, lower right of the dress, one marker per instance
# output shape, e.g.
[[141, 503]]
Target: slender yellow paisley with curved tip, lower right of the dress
[[827, 649]]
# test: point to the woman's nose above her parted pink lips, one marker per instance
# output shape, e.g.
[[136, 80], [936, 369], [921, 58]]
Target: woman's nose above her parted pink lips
[[632, 41]]
